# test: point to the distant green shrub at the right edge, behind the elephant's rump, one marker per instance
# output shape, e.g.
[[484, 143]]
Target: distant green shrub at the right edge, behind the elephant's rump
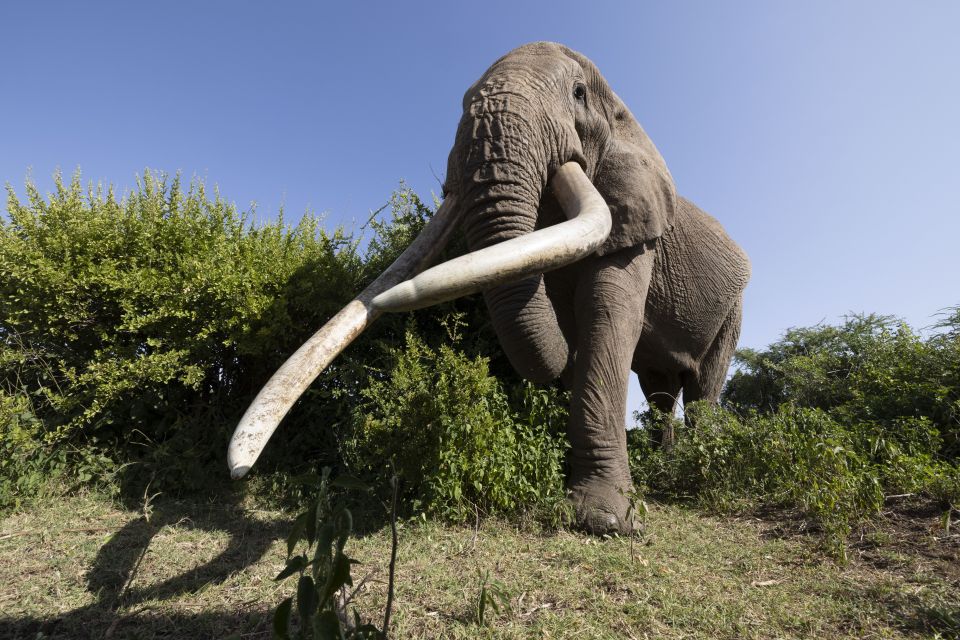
[[896, 393]]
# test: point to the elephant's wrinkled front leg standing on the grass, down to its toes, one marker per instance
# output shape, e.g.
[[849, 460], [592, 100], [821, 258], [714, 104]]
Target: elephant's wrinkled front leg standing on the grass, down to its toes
[[609, 317]]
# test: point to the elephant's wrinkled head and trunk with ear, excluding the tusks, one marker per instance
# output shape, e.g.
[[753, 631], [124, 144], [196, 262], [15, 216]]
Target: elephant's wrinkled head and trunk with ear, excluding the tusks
[[534, 110]]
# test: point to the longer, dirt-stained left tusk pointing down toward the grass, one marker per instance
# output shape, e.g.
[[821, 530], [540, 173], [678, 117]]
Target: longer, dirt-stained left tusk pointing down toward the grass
[[292, 379]]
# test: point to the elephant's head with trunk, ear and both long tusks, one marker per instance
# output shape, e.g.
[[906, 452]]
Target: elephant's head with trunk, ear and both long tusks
[[548, 168]]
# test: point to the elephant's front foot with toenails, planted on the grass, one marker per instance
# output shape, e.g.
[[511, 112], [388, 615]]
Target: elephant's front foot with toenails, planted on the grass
[[602, 507]]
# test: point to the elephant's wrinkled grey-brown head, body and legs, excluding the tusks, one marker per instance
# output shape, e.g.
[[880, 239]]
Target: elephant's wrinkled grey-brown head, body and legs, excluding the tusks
[[662, 296]]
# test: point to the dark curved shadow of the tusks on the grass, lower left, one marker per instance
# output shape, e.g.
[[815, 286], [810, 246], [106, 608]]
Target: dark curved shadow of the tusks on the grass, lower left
[[125, 610]]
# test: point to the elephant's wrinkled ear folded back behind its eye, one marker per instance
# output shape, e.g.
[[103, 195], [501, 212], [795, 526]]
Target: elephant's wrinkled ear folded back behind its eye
[[635, 181]]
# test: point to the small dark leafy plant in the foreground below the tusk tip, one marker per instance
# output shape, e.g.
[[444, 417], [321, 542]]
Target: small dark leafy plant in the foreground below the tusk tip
[[324, 570]]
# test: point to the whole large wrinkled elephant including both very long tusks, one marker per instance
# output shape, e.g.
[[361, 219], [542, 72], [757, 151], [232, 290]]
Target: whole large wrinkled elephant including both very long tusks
[[590, 264]]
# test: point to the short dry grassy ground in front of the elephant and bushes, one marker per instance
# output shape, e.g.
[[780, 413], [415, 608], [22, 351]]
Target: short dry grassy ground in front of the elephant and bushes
[[81, 567]]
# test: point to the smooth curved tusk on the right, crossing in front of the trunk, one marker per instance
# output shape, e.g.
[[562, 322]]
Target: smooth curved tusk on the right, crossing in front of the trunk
[[588, 225]]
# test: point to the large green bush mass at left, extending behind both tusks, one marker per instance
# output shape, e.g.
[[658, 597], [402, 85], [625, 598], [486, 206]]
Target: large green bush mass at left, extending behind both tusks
[[139, 329]]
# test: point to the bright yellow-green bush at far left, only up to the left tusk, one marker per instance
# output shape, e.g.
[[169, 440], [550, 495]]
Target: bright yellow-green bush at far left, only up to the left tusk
[[140, 327]]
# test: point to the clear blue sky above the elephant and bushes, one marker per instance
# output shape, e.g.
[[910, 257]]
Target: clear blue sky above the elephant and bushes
[[824, 135]]
